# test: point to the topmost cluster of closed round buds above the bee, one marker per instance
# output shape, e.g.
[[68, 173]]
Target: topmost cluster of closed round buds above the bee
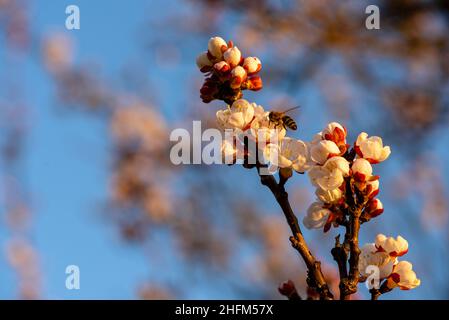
[[227, 71]]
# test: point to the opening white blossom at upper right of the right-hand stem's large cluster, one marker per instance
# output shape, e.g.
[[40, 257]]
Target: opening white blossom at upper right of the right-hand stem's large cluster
[[371, 148]]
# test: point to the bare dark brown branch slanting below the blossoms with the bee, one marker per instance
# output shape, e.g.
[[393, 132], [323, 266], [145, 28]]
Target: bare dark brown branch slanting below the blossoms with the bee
[[315, 277]]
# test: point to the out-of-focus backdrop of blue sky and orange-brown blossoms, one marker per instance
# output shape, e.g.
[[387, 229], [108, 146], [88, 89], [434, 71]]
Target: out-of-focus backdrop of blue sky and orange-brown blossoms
[[85, 117]]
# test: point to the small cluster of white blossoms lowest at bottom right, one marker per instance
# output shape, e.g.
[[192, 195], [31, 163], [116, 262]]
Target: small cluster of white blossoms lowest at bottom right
[[384, 254]]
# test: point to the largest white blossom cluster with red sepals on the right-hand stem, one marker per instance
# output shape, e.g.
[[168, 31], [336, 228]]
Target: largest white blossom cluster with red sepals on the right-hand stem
[[343, 177]]
